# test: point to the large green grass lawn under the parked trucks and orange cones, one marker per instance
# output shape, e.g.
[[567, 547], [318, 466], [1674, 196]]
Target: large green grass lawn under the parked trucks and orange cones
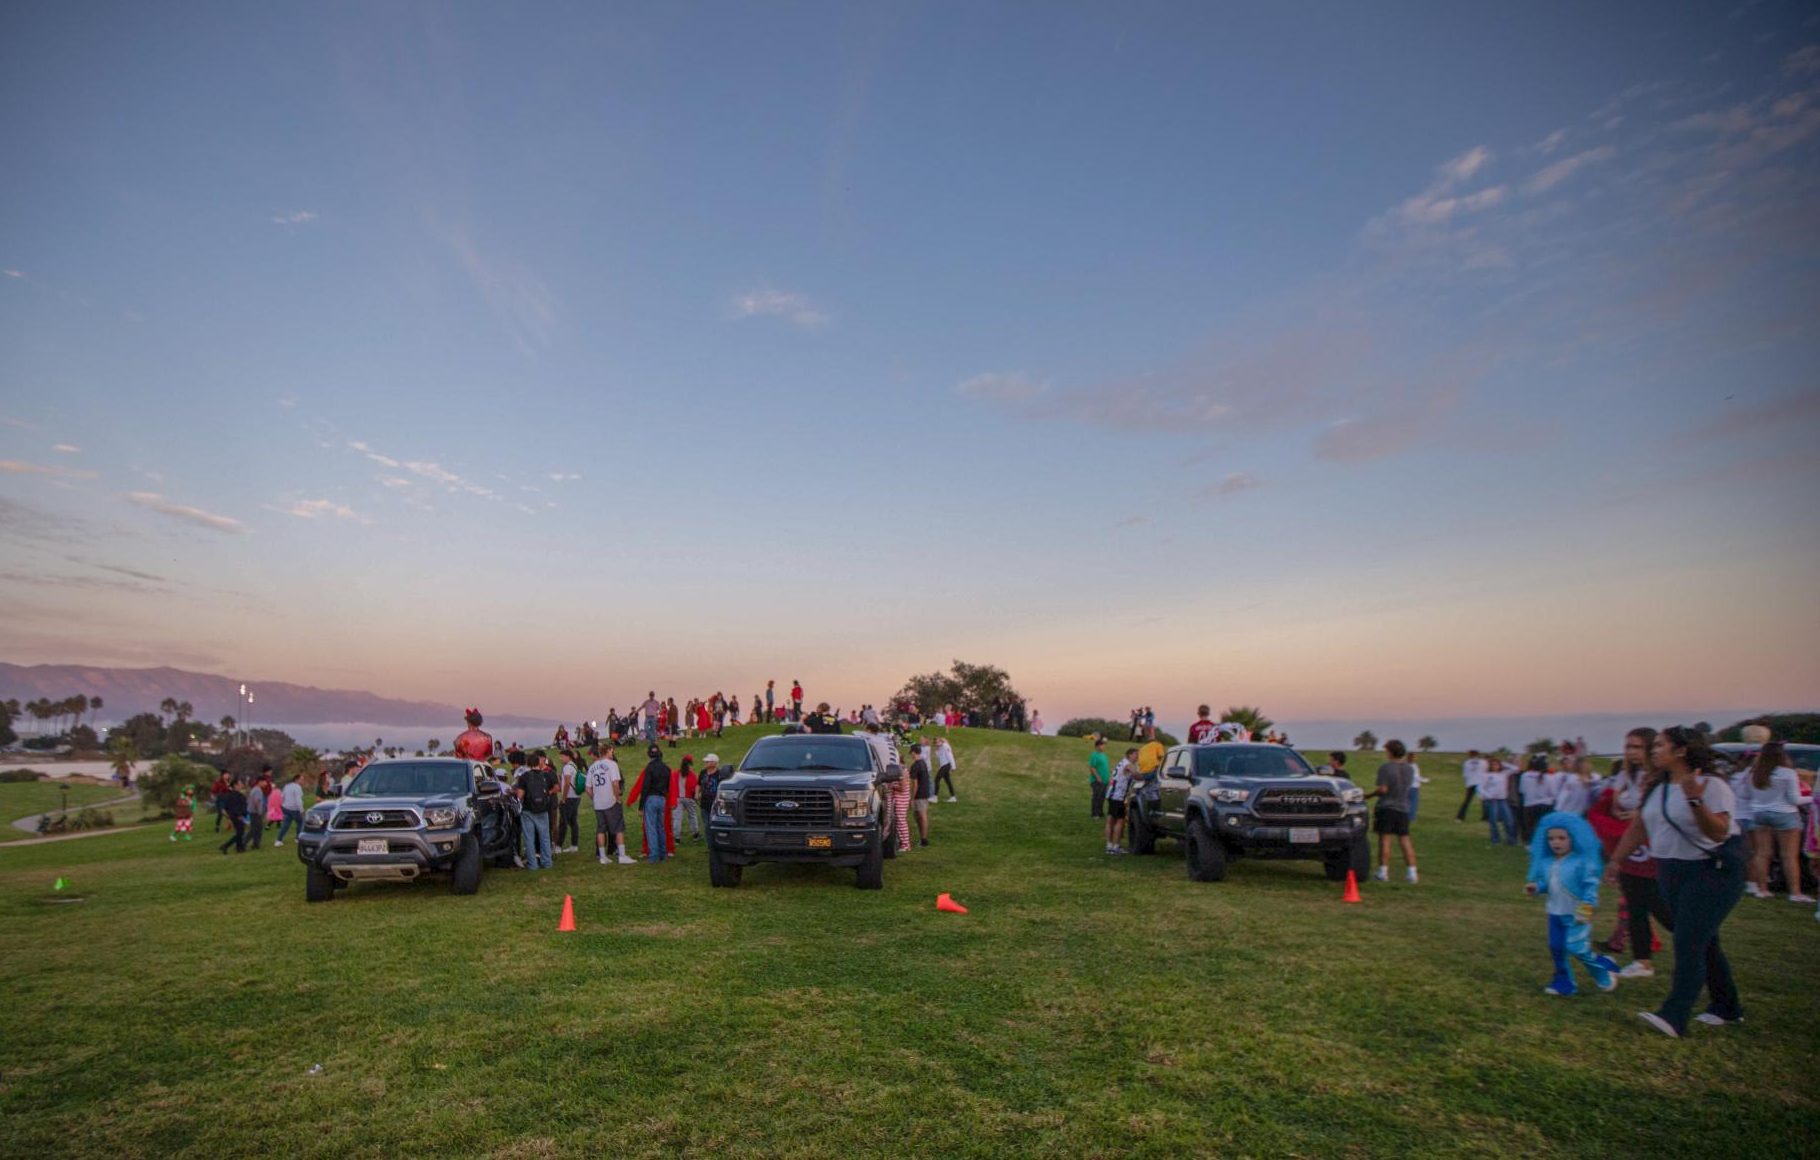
[[1087, 1006]]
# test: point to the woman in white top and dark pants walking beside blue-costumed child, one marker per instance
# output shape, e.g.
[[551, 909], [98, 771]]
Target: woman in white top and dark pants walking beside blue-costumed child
[[1688, 822]]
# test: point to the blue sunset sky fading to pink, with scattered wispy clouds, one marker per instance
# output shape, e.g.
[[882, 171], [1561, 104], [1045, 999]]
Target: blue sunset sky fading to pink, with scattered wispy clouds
[[1400, 360]]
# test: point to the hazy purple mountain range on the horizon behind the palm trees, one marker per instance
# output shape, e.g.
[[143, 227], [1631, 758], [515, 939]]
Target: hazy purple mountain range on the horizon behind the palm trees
[[276, 704]]
